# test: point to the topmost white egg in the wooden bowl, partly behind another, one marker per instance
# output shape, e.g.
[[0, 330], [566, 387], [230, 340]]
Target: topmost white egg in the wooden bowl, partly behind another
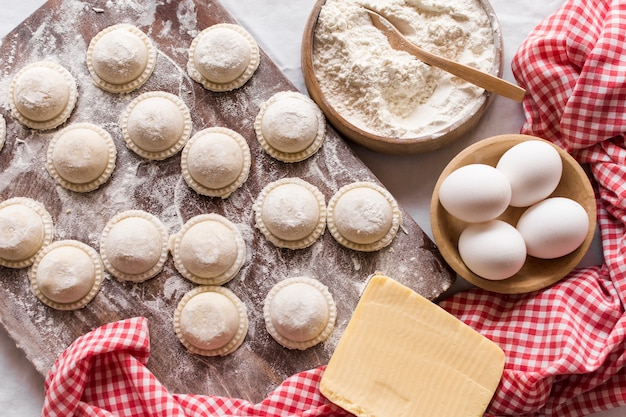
[[534, 169]]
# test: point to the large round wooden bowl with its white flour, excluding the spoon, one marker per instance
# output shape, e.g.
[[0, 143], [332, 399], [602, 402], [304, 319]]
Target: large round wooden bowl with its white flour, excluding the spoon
[[386, 100]]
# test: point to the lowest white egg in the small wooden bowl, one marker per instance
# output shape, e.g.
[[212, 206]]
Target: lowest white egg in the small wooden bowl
[[493, 250]]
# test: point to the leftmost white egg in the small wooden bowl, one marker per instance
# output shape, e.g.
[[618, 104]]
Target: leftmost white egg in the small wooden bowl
[[475, 193]]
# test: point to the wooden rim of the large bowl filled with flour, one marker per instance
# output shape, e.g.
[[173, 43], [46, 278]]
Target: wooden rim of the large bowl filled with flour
[[393, 145]]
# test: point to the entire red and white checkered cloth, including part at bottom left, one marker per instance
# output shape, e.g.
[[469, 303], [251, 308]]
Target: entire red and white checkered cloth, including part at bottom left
[[565, 345]]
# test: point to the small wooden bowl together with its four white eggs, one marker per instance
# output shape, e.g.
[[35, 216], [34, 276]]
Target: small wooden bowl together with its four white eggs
[[513, 213]]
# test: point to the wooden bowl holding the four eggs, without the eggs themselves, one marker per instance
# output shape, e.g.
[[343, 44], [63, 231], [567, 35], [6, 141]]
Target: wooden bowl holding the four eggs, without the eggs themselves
[[519, 283]]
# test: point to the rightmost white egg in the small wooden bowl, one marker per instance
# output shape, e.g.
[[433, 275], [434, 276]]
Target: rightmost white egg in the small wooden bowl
[[553, 227]]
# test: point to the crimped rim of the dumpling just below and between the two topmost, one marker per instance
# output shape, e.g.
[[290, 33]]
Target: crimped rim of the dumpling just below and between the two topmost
[[172, 150]]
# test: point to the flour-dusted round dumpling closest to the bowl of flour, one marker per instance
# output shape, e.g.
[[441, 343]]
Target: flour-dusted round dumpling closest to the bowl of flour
[[290, 126]]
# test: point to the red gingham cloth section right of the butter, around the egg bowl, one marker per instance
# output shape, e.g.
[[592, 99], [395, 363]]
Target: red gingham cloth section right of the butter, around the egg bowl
[[566, 345]]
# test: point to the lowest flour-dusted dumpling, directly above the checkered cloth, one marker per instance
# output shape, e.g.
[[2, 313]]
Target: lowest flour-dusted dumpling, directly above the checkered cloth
[[211, 321]]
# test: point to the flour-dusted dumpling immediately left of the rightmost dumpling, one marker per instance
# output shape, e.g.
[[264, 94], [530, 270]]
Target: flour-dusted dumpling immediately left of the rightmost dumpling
[[291, 213]]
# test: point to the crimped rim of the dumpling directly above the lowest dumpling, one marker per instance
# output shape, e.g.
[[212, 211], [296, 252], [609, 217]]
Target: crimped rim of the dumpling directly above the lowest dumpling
[[176, 239]]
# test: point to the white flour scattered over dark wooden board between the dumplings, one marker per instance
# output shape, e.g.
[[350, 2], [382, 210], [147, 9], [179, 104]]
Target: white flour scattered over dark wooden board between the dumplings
[[159, 188]]
